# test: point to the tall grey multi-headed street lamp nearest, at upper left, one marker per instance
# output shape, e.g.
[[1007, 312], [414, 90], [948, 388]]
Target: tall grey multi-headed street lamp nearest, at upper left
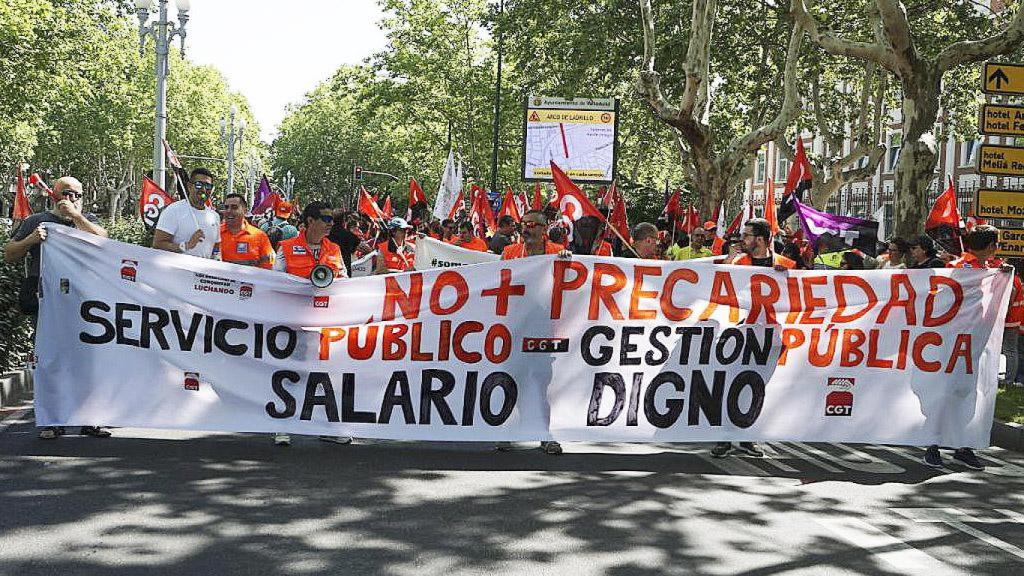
[[163, 33]]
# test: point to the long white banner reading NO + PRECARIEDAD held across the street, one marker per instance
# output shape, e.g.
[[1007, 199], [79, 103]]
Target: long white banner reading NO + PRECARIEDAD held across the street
[[538, 349]]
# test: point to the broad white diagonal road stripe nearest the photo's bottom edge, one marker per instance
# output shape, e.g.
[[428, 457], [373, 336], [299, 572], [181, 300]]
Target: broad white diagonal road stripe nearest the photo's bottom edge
[[893, 552]]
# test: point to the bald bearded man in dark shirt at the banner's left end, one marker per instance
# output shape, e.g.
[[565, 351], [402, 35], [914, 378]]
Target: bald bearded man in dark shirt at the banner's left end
[[26, 242]]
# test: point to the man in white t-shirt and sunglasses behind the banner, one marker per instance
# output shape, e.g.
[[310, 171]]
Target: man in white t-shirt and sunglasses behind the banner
[[188, 227]]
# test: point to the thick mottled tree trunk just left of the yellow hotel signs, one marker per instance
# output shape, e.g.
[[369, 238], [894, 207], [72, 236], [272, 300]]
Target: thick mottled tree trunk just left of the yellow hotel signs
[[916, 169]]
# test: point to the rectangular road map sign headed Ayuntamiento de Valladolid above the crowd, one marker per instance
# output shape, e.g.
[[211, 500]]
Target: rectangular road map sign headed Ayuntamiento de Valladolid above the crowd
[[581, 142]]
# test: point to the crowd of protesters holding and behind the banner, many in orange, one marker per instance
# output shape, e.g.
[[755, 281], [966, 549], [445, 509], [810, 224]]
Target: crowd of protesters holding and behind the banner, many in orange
[[295, 242]]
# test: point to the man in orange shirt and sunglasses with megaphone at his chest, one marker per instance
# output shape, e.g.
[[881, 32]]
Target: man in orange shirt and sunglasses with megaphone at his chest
[[313, 256]]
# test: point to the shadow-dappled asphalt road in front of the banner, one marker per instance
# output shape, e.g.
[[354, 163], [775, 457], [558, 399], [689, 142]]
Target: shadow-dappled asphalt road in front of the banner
[[158, 503]]
